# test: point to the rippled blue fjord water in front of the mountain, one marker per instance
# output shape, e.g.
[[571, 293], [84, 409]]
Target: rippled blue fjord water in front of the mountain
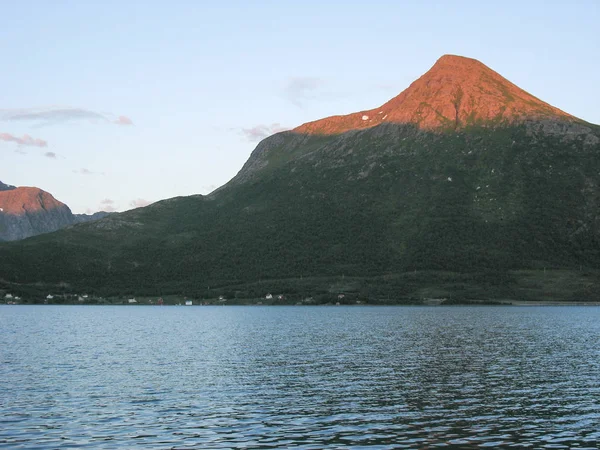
[[304, 377]]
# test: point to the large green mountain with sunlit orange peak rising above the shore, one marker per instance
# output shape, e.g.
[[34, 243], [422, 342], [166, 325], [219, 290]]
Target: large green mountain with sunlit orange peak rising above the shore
[[462, 187]]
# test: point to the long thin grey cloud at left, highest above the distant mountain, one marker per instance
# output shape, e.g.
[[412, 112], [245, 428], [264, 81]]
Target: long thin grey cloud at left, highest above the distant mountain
[[55, 115]]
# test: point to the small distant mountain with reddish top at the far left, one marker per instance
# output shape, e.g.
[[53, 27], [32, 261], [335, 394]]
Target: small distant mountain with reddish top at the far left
[[29, 211]]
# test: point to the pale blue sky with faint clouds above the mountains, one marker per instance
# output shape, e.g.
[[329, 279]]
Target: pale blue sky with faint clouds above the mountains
[[111, 105]]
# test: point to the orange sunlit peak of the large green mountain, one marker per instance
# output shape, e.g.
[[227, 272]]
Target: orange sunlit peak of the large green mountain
[[456, 92]]
